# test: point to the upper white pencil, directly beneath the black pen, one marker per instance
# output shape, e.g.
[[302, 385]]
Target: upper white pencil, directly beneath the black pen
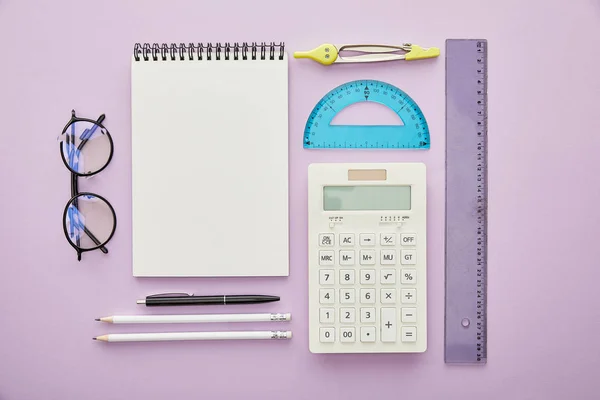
[[182, 319]]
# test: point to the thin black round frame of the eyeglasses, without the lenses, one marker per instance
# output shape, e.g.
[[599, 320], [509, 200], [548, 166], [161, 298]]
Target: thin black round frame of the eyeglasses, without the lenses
[[75, 194]]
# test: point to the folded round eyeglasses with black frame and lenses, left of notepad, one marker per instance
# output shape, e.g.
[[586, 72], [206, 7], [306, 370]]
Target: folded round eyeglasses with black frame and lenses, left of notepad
[[86, 148]]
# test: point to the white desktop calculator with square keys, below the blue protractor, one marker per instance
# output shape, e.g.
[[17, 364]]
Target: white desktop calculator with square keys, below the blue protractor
[[367, 257]]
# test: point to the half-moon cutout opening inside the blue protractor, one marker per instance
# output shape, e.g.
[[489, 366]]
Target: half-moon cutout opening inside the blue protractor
[[366, 113]]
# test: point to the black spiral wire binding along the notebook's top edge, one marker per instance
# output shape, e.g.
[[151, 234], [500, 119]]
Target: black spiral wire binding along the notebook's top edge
[[208, 51]]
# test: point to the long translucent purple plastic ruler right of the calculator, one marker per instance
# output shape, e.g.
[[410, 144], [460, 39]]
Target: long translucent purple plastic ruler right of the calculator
[[466, 201]]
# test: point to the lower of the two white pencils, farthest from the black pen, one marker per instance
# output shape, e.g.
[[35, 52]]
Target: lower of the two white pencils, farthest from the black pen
[[169, 336]]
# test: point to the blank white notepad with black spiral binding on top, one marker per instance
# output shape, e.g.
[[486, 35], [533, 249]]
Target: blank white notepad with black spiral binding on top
[[210, 160]]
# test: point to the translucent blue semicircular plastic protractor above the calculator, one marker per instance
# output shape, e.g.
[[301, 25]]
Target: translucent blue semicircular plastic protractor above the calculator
[[319, 133]]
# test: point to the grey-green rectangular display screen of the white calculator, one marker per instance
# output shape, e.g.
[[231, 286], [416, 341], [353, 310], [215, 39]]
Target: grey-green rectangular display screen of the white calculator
[[361, 198]]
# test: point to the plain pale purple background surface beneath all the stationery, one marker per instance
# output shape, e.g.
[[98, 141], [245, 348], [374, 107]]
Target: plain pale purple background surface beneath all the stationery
[[544, 223]]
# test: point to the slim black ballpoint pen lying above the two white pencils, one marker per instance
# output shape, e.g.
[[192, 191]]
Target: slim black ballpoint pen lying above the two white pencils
[[184, 299]]
